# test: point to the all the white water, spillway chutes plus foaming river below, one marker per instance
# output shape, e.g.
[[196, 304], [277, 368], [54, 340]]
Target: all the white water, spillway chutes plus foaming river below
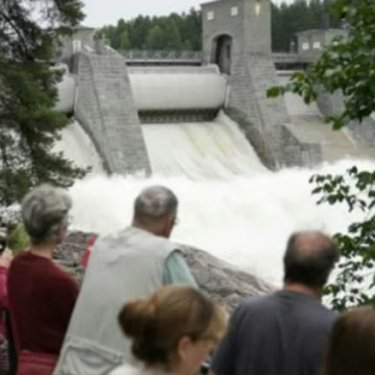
[[240, 213]]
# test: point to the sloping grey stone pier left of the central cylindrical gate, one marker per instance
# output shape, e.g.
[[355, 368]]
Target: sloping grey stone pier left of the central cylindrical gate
[[105, 108]]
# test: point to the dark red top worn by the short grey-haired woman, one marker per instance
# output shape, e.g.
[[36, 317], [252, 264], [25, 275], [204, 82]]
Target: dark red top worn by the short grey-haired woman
[[41, 299]]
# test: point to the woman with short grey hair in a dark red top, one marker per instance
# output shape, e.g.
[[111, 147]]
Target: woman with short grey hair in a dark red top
[[41, 295]]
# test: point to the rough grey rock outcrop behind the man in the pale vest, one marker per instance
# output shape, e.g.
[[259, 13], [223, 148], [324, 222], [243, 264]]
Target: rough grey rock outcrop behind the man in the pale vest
[[222, 281]]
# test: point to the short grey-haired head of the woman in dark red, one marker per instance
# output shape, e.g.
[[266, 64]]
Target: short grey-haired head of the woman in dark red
[[44, 211]]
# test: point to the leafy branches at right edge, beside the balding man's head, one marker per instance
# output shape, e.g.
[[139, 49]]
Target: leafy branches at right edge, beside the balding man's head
[[354, 284]]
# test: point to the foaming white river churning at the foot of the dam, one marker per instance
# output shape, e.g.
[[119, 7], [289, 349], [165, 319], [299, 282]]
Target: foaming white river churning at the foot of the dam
[[244, 220]]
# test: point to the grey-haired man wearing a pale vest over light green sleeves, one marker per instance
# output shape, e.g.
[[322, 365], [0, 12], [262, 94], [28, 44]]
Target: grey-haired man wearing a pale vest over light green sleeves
[[127, 265]]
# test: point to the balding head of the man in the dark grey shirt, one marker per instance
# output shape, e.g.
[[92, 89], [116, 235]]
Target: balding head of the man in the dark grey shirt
[[309, 259]]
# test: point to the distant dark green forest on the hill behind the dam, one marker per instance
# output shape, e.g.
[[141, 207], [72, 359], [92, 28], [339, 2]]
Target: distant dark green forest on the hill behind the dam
[[184, 32]]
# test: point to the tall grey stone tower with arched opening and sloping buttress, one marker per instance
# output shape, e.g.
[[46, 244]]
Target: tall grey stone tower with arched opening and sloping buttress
[[237, 37]]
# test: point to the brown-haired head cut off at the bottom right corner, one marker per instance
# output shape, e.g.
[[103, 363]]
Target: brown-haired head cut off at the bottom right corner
[[352, 344]]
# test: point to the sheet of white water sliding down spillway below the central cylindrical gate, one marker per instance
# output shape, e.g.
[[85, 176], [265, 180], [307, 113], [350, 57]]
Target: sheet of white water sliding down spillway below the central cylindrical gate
[[200, 151]]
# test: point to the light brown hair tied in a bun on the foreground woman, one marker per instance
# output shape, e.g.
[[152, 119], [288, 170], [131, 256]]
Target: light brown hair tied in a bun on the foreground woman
[[157, 324]]
